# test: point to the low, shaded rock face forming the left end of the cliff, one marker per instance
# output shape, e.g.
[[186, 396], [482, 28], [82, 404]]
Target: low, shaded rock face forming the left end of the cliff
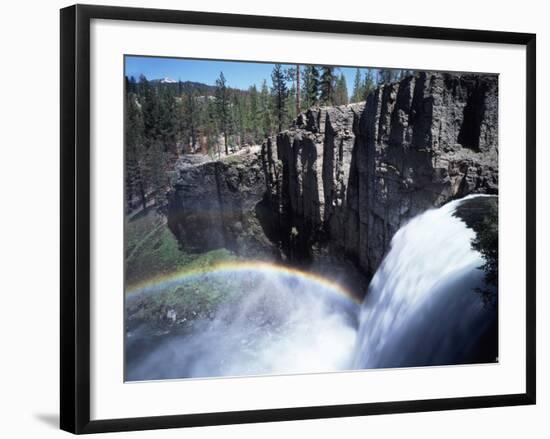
[[219, 204]]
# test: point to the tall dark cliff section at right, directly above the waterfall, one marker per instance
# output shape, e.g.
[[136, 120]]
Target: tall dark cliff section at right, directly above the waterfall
[[420, 143]]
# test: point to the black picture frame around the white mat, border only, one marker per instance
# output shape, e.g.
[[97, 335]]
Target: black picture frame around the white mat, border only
[[75, 217]]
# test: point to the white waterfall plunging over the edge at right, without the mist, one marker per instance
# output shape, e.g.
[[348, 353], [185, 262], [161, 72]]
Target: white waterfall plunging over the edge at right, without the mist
[[422, 307]]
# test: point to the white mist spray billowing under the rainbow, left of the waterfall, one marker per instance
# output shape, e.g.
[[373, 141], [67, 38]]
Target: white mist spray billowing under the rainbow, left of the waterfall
[[277, 324]]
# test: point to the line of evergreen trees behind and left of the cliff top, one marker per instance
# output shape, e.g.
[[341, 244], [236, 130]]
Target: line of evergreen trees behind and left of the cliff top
[[163, 120]]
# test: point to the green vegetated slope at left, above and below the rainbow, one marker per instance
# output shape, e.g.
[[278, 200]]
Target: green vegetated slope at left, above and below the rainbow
[[152, 252]]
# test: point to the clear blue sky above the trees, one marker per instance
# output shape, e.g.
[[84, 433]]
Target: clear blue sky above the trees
[[238, 74]]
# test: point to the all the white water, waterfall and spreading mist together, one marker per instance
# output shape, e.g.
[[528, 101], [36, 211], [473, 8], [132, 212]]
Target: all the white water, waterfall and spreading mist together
[[421, 309]]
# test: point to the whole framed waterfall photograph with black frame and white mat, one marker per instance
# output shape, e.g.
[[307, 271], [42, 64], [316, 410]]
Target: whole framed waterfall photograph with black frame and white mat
[[273, 218]]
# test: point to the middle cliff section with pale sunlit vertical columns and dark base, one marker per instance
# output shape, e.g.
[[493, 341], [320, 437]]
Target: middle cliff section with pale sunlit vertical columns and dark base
[[319, 180]]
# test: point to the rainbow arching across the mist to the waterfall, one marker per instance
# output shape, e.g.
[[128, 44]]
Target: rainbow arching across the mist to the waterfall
[[244, 267]]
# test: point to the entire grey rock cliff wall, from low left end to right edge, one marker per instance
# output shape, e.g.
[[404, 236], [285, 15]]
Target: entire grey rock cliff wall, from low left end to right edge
[[342, 180]]
